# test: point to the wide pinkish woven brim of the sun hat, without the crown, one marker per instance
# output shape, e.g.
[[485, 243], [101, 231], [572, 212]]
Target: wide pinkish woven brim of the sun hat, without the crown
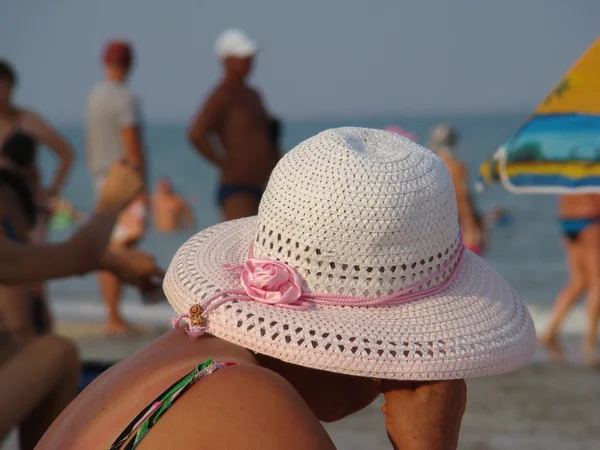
[[476, 327]]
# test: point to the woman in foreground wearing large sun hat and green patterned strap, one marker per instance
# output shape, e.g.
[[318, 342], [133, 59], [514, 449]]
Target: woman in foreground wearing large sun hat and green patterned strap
[[352, 281]]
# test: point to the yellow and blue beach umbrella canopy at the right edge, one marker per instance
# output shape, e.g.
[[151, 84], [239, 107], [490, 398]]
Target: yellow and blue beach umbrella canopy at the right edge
[[557, 149]]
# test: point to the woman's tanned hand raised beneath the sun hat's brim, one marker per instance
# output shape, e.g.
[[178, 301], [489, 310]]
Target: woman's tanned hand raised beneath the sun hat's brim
[[424, 415]]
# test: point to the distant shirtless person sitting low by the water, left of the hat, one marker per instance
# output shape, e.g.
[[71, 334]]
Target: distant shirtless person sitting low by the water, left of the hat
[[170, 210]]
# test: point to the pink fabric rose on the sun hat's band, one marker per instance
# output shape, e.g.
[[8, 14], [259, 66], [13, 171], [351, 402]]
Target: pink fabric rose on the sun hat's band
[[270, 281]]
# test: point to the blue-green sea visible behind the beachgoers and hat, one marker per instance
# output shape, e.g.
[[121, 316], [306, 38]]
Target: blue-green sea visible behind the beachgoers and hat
[[527, 253]]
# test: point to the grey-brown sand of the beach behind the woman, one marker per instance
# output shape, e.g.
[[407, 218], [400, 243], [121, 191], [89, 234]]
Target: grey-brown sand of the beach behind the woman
[[544, 406]]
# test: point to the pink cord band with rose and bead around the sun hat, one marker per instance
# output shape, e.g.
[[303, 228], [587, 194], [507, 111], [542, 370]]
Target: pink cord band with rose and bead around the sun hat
[[273, 282]]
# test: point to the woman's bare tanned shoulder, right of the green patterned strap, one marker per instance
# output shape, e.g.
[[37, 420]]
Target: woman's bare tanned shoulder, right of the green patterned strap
[[244, 406]]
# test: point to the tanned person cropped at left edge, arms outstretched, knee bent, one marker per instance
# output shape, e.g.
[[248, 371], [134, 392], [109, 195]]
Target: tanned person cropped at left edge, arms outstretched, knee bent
[[39, 376]]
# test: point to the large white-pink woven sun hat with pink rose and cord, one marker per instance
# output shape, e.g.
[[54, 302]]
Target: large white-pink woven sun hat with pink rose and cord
[[354, 264]]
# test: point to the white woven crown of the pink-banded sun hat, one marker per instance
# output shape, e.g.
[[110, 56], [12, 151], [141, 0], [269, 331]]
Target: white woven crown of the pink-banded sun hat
[[359, 212]]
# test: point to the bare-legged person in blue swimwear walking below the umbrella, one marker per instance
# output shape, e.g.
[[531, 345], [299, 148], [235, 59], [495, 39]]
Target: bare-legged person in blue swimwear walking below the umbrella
[[579, 219]]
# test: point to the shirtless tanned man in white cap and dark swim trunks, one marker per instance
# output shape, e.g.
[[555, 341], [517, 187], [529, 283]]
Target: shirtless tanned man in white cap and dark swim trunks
[[236, 115]]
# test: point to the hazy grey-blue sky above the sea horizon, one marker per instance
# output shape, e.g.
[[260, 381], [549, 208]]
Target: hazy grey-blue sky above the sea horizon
[[319, 58]]
